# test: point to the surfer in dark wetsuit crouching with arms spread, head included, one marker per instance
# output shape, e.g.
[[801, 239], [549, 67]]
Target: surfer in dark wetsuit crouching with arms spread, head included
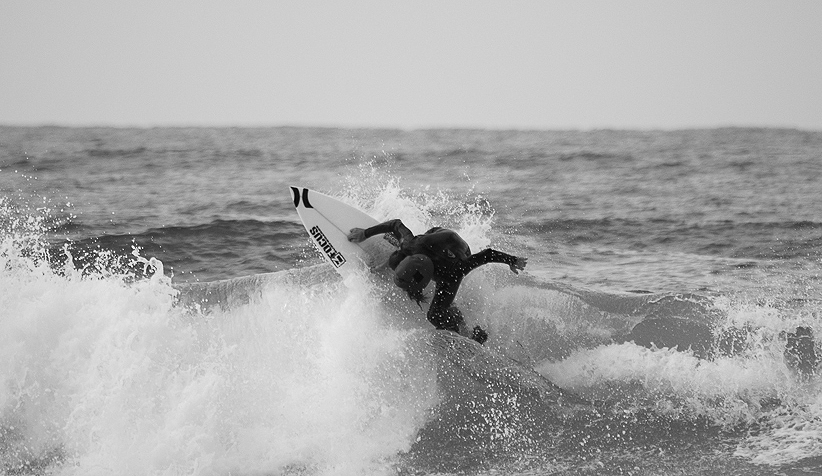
[[440, 255]]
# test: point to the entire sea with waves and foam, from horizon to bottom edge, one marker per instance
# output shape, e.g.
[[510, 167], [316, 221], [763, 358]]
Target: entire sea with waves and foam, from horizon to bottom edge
[[162, 310]]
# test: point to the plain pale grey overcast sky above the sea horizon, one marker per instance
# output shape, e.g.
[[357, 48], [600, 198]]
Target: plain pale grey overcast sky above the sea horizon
[[384, 63]]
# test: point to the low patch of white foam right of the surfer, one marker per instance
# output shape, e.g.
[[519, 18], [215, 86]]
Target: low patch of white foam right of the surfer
[[727, 391]]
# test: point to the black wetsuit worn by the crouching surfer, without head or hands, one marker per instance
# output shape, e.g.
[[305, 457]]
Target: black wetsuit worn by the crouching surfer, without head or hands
[[452, 260]]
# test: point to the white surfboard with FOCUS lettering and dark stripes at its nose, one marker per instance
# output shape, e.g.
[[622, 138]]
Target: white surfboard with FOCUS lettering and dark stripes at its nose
[[328, 222]]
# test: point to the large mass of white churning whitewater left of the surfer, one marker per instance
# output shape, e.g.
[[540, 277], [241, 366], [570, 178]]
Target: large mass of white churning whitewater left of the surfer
[[111, 373]]
